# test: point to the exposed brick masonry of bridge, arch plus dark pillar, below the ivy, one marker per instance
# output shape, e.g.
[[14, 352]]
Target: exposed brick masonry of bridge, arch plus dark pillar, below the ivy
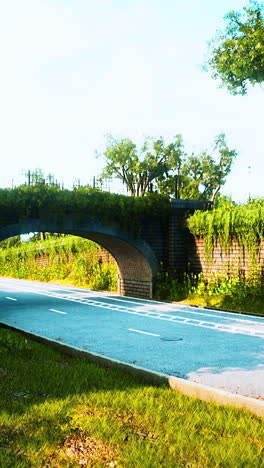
[[138, 258]]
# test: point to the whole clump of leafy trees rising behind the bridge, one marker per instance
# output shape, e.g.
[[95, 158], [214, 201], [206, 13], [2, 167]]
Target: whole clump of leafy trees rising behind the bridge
[[168, 168]]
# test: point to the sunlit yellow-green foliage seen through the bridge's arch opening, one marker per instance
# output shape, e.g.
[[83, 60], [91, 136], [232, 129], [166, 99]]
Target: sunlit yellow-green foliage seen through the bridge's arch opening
[[71, 260]]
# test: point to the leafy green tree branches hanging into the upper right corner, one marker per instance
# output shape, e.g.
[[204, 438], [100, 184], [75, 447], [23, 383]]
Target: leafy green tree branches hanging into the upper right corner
[[237, 54]]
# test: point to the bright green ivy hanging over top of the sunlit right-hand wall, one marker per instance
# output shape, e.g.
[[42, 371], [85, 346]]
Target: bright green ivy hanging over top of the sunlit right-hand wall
[[243, 222]]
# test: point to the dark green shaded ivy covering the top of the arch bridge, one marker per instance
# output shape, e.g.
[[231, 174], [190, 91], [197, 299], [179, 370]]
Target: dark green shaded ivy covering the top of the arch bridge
[[84, 204]]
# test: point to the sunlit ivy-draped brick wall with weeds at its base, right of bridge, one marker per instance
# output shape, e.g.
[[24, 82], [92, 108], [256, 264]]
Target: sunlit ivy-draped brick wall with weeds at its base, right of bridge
[[237, 230]]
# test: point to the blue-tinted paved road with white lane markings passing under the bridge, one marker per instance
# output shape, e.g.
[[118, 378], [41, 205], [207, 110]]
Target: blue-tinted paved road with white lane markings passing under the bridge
[[220, 349]]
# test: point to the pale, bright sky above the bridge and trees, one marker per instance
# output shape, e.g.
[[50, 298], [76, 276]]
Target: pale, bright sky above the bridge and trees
[[72, 71]]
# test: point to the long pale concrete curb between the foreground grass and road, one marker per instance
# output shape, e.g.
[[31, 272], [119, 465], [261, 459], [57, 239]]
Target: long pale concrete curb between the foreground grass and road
[[193, 389]]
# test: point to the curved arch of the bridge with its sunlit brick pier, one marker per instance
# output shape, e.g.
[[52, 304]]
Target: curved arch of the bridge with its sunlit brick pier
[[136, 261]]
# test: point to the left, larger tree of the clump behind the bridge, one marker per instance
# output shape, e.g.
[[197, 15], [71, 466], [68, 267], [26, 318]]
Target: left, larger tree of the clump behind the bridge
[[139, 169]]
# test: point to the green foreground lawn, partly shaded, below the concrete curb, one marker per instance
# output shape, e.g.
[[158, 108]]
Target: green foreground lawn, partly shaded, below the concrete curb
[[58, 411]]
